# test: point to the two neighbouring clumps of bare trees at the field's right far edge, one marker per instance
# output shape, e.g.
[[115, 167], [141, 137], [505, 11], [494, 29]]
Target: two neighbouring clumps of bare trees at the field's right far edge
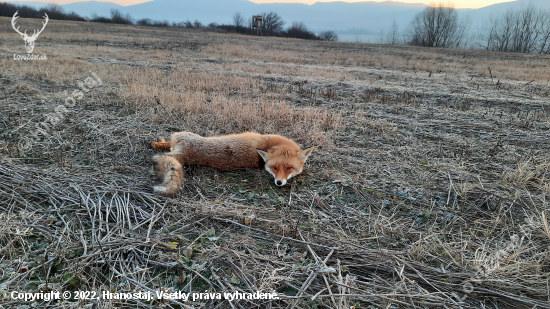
[[525, 30]]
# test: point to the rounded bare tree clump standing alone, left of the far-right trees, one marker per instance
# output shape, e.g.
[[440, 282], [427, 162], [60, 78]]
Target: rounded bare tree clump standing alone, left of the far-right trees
[[438, 26]]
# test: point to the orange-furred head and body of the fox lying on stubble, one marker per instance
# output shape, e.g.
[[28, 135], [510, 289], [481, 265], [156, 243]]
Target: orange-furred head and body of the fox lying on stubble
[[280, 156]]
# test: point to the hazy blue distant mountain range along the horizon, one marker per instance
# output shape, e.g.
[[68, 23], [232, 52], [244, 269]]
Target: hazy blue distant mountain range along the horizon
[[351, 20]]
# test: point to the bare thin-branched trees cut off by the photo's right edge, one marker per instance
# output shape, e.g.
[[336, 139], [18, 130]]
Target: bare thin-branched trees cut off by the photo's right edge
[[524, 30]]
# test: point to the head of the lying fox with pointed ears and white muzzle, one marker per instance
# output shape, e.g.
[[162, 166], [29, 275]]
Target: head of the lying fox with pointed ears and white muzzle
[[284, 164]]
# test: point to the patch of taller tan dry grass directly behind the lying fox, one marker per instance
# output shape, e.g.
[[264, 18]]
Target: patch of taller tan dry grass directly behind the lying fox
[[195, 99]]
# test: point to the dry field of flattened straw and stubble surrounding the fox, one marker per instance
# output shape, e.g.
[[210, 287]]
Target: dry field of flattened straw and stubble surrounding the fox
[[429, 186]]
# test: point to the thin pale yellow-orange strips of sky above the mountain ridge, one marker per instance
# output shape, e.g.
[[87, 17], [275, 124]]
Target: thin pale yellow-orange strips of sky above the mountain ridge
[[474, 4]]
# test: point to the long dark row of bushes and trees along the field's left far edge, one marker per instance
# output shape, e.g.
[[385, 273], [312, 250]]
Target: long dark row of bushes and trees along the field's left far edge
[[272, 23]]
